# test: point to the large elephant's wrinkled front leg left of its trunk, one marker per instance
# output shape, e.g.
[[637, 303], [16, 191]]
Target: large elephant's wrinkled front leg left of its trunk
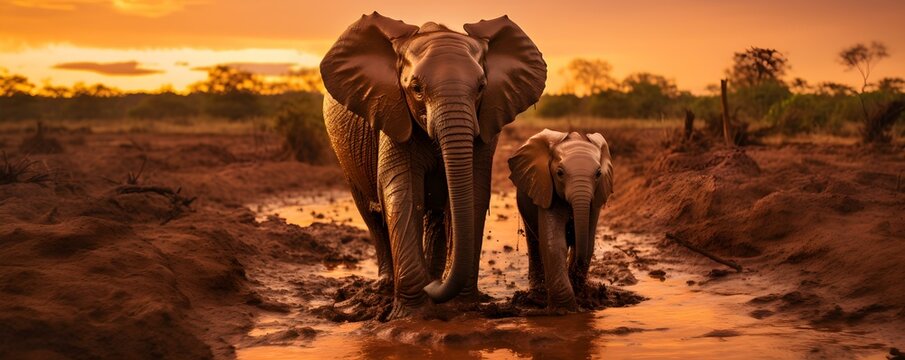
[[401, 177]]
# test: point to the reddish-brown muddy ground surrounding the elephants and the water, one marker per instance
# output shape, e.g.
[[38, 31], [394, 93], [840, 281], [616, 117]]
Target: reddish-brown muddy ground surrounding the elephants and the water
[[149, 245]]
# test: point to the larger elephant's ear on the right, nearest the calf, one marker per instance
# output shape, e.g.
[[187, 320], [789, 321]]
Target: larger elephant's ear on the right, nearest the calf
[[515, 70]]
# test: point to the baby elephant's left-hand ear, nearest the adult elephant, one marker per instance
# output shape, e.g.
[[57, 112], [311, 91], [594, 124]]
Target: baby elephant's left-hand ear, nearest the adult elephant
[[530, 167]]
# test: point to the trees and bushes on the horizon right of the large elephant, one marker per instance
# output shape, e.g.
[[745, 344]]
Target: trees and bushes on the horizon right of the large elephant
[[760, 95]]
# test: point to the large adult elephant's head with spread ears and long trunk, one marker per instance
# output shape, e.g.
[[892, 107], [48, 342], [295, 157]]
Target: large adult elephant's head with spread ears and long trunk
[[458, 88]]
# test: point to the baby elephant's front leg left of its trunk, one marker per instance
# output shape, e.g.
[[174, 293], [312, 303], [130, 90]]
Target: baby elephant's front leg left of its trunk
[[554, 254]]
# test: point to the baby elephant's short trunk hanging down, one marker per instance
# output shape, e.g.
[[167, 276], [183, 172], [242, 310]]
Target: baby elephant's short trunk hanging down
[[584, 235]]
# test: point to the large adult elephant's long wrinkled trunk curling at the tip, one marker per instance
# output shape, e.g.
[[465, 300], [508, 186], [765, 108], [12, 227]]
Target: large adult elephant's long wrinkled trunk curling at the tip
[[456, 137]]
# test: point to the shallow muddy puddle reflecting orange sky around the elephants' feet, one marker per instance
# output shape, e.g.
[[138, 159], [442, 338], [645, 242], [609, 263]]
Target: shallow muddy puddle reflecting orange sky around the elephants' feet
[[690, 312]]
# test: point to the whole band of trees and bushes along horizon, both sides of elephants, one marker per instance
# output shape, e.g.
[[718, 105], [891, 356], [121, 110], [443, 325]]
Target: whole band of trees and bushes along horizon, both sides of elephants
[[762, 99]]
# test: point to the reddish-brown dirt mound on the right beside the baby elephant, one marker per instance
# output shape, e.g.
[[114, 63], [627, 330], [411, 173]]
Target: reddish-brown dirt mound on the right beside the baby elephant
[[828, 215]]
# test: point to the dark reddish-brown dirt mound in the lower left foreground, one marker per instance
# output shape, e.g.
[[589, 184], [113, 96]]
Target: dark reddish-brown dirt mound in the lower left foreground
[[71, 282]]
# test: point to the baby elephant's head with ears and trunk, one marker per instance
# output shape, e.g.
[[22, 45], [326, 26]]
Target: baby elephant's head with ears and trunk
[[576, 169]]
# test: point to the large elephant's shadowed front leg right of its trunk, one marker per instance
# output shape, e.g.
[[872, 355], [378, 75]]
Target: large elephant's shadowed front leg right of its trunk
[[483, 169]]
